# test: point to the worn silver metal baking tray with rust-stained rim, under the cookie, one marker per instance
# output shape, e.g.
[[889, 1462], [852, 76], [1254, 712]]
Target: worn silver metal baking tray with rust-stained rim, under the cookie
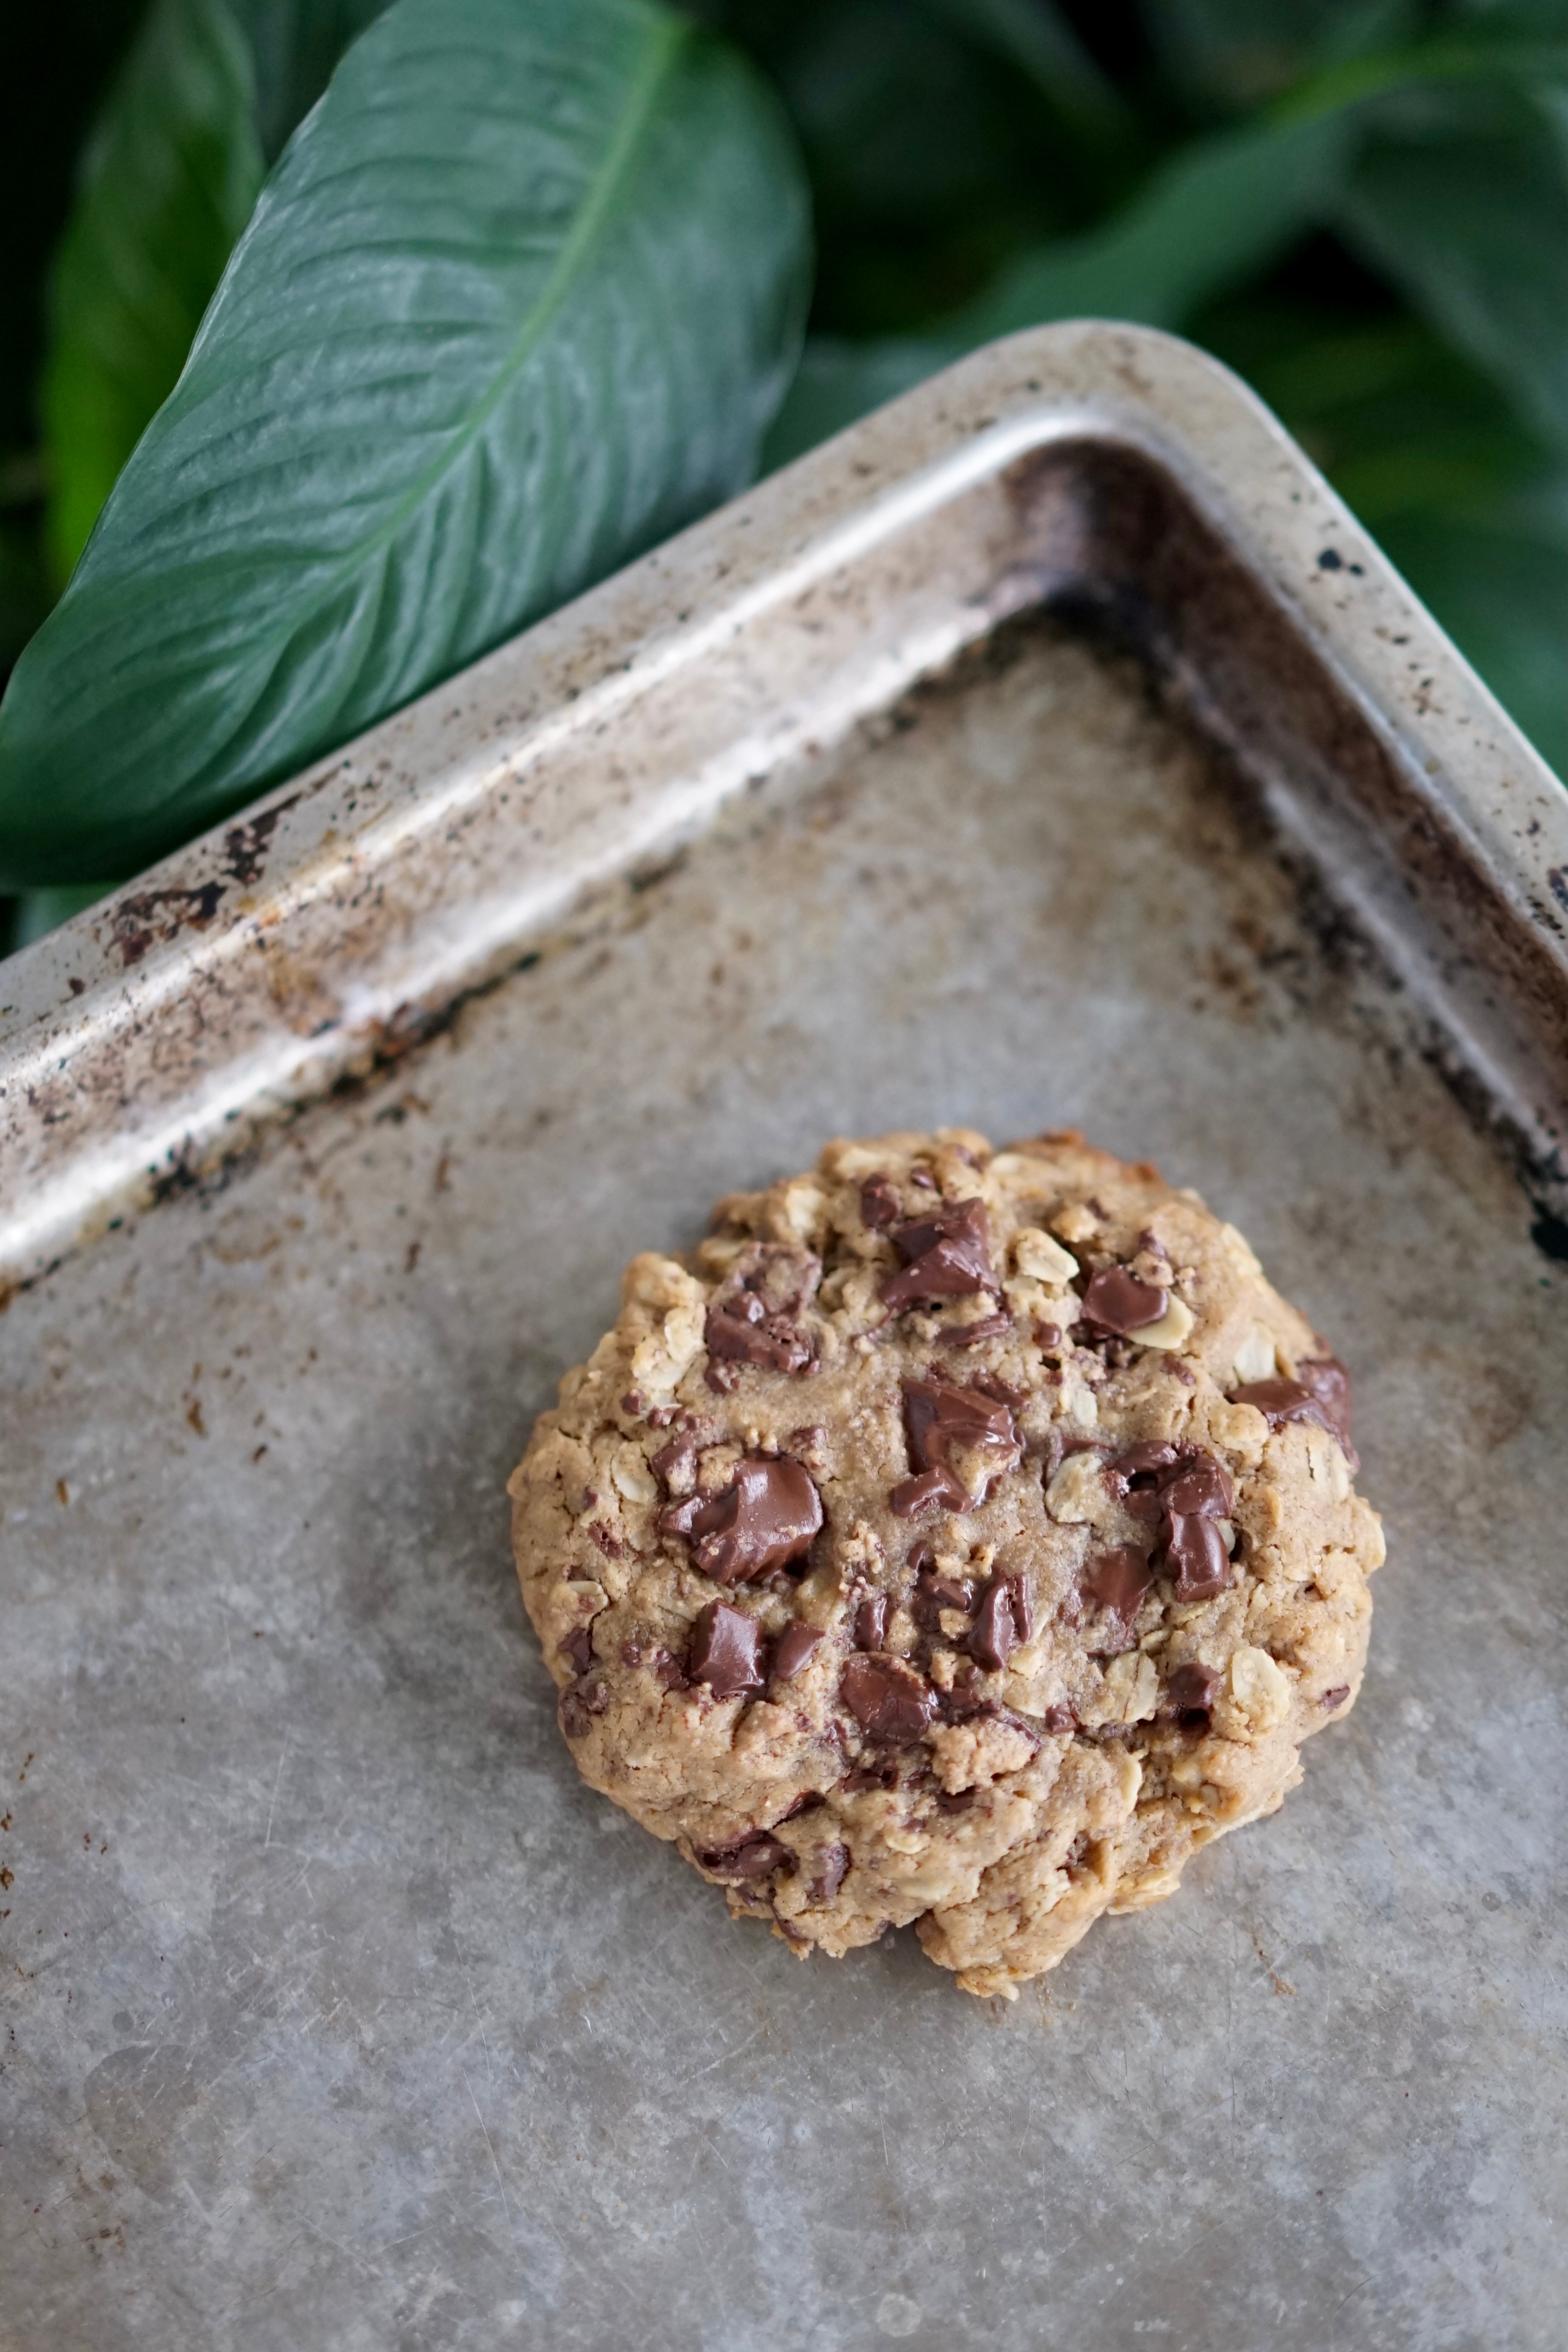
[[1052, 749]]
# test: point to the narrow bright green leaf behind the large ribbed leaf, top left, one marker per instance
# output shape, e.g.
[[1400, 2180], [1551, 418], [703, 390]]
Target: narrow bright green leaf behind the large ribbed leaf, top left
[[168, 185]]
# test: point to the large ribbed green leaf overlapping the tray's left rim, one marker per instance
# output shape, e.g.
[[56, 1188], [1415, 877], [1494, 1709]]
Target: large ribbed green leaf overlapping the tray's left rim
[[516, 305]]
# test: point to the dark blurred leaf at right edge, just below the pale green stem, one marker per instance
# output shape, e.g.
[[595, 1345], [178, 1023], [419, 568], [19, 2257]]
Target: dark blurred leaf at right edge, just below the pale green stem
[[1470, 225]]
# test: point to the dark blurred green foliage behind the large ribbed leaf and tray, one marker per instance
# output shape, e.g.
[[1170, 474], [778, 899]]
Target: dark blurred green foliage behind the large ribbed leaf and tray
[[1358, 203]]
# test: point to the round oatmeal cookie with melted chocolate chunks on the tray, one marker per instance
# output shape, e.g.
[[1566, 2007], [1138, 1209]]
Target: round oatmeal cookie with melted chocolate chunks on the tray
[[956, 1537]]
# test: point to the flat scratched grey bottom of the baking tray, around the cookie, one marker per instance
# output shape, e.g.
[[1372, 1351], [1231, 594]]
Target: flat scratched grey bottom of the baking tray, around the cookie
[[342, 2017]]
